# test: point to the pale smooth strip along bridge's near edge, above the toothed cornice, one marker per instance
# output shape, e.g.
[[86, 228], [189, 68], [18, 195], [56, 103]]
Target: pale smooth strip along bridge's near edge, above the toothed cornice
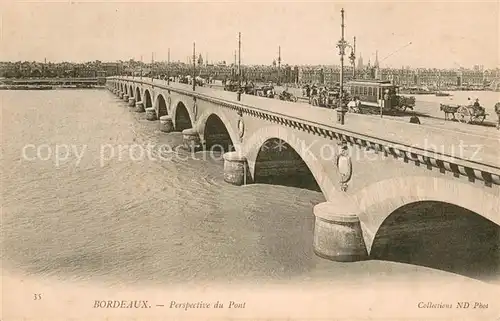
[[463, 147]]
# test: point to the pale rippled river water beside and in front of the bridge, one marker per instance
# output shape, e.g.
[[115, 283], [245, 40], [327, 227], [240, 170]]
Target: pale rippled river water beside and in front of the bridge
[[139, 220]]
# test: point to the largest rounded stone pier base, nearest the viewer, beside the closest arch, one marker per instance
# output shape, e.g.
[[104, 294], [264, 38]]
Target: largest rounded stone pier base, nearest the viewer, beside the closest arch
[[337, 231]]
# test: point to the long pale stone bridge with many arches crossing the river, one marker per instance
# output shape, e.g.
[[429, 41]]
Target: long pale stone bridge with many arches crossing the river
[[367, 169]]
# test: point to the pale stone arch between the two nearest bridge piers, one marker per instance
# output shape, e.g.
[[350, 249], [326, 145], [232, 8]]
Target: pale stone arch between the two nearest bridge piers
[[283, 140]]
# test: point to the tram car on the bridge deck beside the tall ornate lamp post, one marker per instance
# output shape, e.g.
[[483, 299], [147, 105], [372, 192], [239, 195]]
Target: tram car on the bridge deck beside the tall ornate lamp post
[[379, 94]]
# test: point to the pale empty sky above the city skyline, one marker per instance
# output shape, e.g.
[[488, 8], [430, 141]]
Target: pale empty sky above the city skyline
[[446, 34]]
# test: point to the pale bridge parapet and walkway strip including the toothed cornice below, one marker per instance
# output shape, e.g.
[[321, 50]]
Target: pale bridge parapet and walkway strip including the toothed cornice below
[[421, 145]]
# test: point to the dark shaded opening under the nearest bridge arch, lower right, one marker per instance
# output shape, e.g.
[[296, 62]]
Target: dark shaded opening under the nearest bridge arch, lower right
[[441, 236]]
